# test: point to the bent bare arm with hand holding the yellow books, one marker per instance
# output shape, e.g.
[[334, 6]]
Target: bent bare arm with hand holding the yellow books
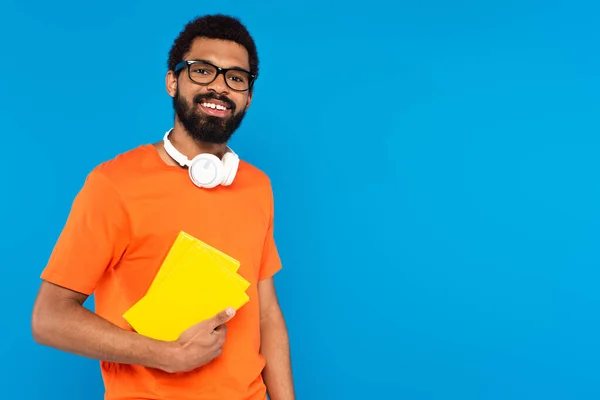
[[61, 321]]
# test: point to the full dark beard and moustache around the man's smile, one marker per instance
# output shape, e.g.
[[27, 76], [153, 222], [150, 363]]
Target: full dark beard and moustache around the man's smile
[[206, 128]]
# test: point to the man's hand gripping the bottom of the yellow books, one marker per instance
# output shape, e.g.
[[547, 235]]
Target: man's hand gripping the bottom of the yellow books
[[201, 343]]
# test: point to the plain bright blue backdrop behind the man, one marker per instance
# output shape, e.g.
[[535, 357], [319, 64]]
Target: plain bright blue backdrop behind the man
[[435, 167]]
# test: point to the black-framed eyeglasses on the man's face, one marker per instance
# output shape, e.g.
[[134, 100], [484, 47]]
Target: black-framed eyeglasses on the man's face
[[203, 73]]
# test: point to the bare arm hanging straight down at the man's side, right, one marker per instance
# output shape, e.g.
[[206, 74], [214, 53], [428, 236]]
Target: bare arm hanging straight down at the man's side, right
[[275, 346]]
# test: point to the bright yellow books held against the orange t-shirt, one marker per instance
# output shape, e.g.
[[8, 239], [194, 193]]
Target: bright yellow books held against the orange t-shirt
[[194, 283]]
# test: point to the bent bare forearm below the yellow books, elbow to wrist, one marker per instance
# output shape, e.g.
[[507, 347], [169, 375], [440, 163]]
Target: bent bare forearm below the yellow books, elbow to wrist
[[70, 327]]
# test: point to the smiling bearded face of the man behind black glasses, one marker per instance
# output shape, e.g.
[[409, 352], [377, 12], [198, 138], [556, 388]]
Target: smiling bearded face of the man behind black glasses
[[198, 107]]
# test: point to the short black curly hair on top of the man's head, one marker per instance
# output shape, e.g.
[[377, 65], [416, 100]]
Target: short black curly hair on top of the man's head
[[216, 26]]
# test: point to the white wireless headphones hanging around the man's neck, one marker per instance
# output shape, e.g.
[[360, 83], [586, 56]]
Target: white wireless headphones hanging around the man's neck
[[206, 170]]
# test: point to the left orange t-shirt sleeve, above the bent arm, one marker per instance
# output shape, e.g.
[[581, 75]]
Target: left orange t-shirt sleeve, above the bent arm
[[93, 239]]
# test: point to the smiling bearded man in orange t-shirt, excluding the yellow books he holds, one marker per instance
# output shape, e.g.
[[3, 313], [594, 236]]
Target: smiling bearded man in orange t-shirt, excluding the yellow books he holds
[[129, 212]]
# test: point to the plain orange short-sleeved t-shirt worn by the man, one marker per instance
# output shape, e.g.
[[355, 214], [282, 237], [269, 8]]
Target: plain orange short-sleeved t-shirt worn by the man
[[120, 228]]
